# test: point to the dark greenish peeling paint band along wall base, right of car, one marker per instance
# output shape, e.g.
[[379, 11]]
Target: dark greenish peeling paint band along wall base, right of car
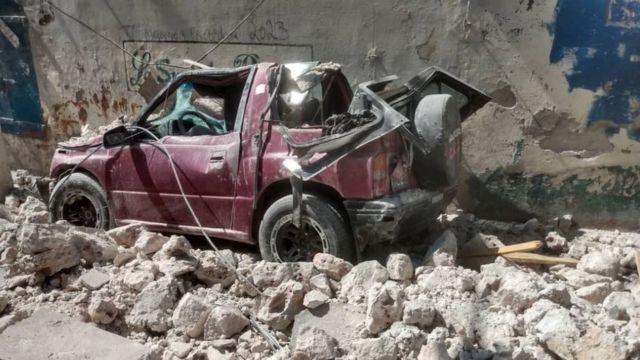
[[596, 197]]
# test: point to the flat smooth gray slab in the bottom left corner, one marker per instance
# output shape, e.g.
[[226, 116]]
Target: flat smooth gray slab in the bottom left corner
[[49, 335]]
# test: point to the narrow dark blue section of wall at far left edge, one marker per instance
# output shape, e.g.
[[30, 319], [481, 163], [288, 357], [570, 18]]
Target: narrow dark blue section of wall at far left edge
[[20, 110]]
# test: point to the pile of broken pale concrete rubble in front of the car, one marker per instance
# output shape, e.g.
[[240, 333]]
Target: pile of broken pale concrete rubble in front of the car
[[183, 303]]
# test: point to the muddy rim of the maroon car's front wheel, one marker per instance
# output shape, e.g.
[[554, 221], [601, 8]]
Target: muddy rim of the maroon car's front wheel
[[80, 209]]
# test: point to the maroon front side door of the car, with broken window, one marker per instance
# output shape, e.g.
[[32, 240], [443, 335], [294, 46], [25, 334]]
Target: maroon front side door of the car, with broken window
[[142, 182]]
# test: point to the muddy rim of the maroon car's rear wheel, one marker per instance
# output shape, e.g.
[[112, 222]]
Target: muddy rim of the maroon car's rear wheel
[[289, 244]]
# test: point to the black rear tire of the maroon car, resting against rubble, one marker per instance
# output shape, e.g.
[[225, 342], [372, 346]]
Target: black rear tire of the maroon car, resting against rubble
[[317, 214]]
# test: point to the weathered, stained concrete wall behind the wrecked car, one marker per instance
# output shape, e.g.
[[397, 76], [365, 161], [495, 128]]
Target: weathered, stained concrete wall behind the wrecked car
[[562, 138]]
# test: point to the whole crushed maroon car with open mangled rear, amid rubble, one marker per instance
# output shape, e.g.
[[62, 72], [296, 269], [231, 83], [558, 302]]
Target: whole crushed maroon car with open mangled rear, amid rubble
[[286, 156]]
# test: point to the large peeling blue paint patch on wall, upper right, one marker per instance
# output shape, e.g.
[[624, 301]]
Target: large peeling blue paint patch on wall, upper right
[[602, 38]]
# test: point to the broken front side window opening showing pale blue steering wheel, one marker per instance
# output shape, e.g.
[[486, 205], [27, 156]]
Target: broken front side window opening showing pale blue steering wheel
[[206, 106]]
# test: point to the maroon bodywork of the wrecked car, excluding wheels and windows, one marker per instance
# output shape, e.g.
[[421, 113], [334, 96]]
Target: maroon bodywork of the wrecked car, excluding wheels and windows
[[373, 184]]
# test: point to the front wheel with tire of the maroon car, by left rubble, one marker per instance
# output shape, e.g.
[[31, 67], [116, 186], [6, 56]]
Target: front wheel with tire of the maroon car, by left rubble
[[80, 200]]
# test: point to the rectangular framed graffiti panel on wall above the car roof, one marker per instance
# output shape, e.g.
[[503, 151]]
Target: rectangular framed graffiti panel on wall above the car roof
[[148, 75]]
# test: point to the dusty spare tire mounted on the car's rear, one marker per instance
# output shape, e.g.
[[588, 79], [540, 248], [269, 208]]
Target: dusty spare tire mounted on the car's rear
[[437, 123]]
